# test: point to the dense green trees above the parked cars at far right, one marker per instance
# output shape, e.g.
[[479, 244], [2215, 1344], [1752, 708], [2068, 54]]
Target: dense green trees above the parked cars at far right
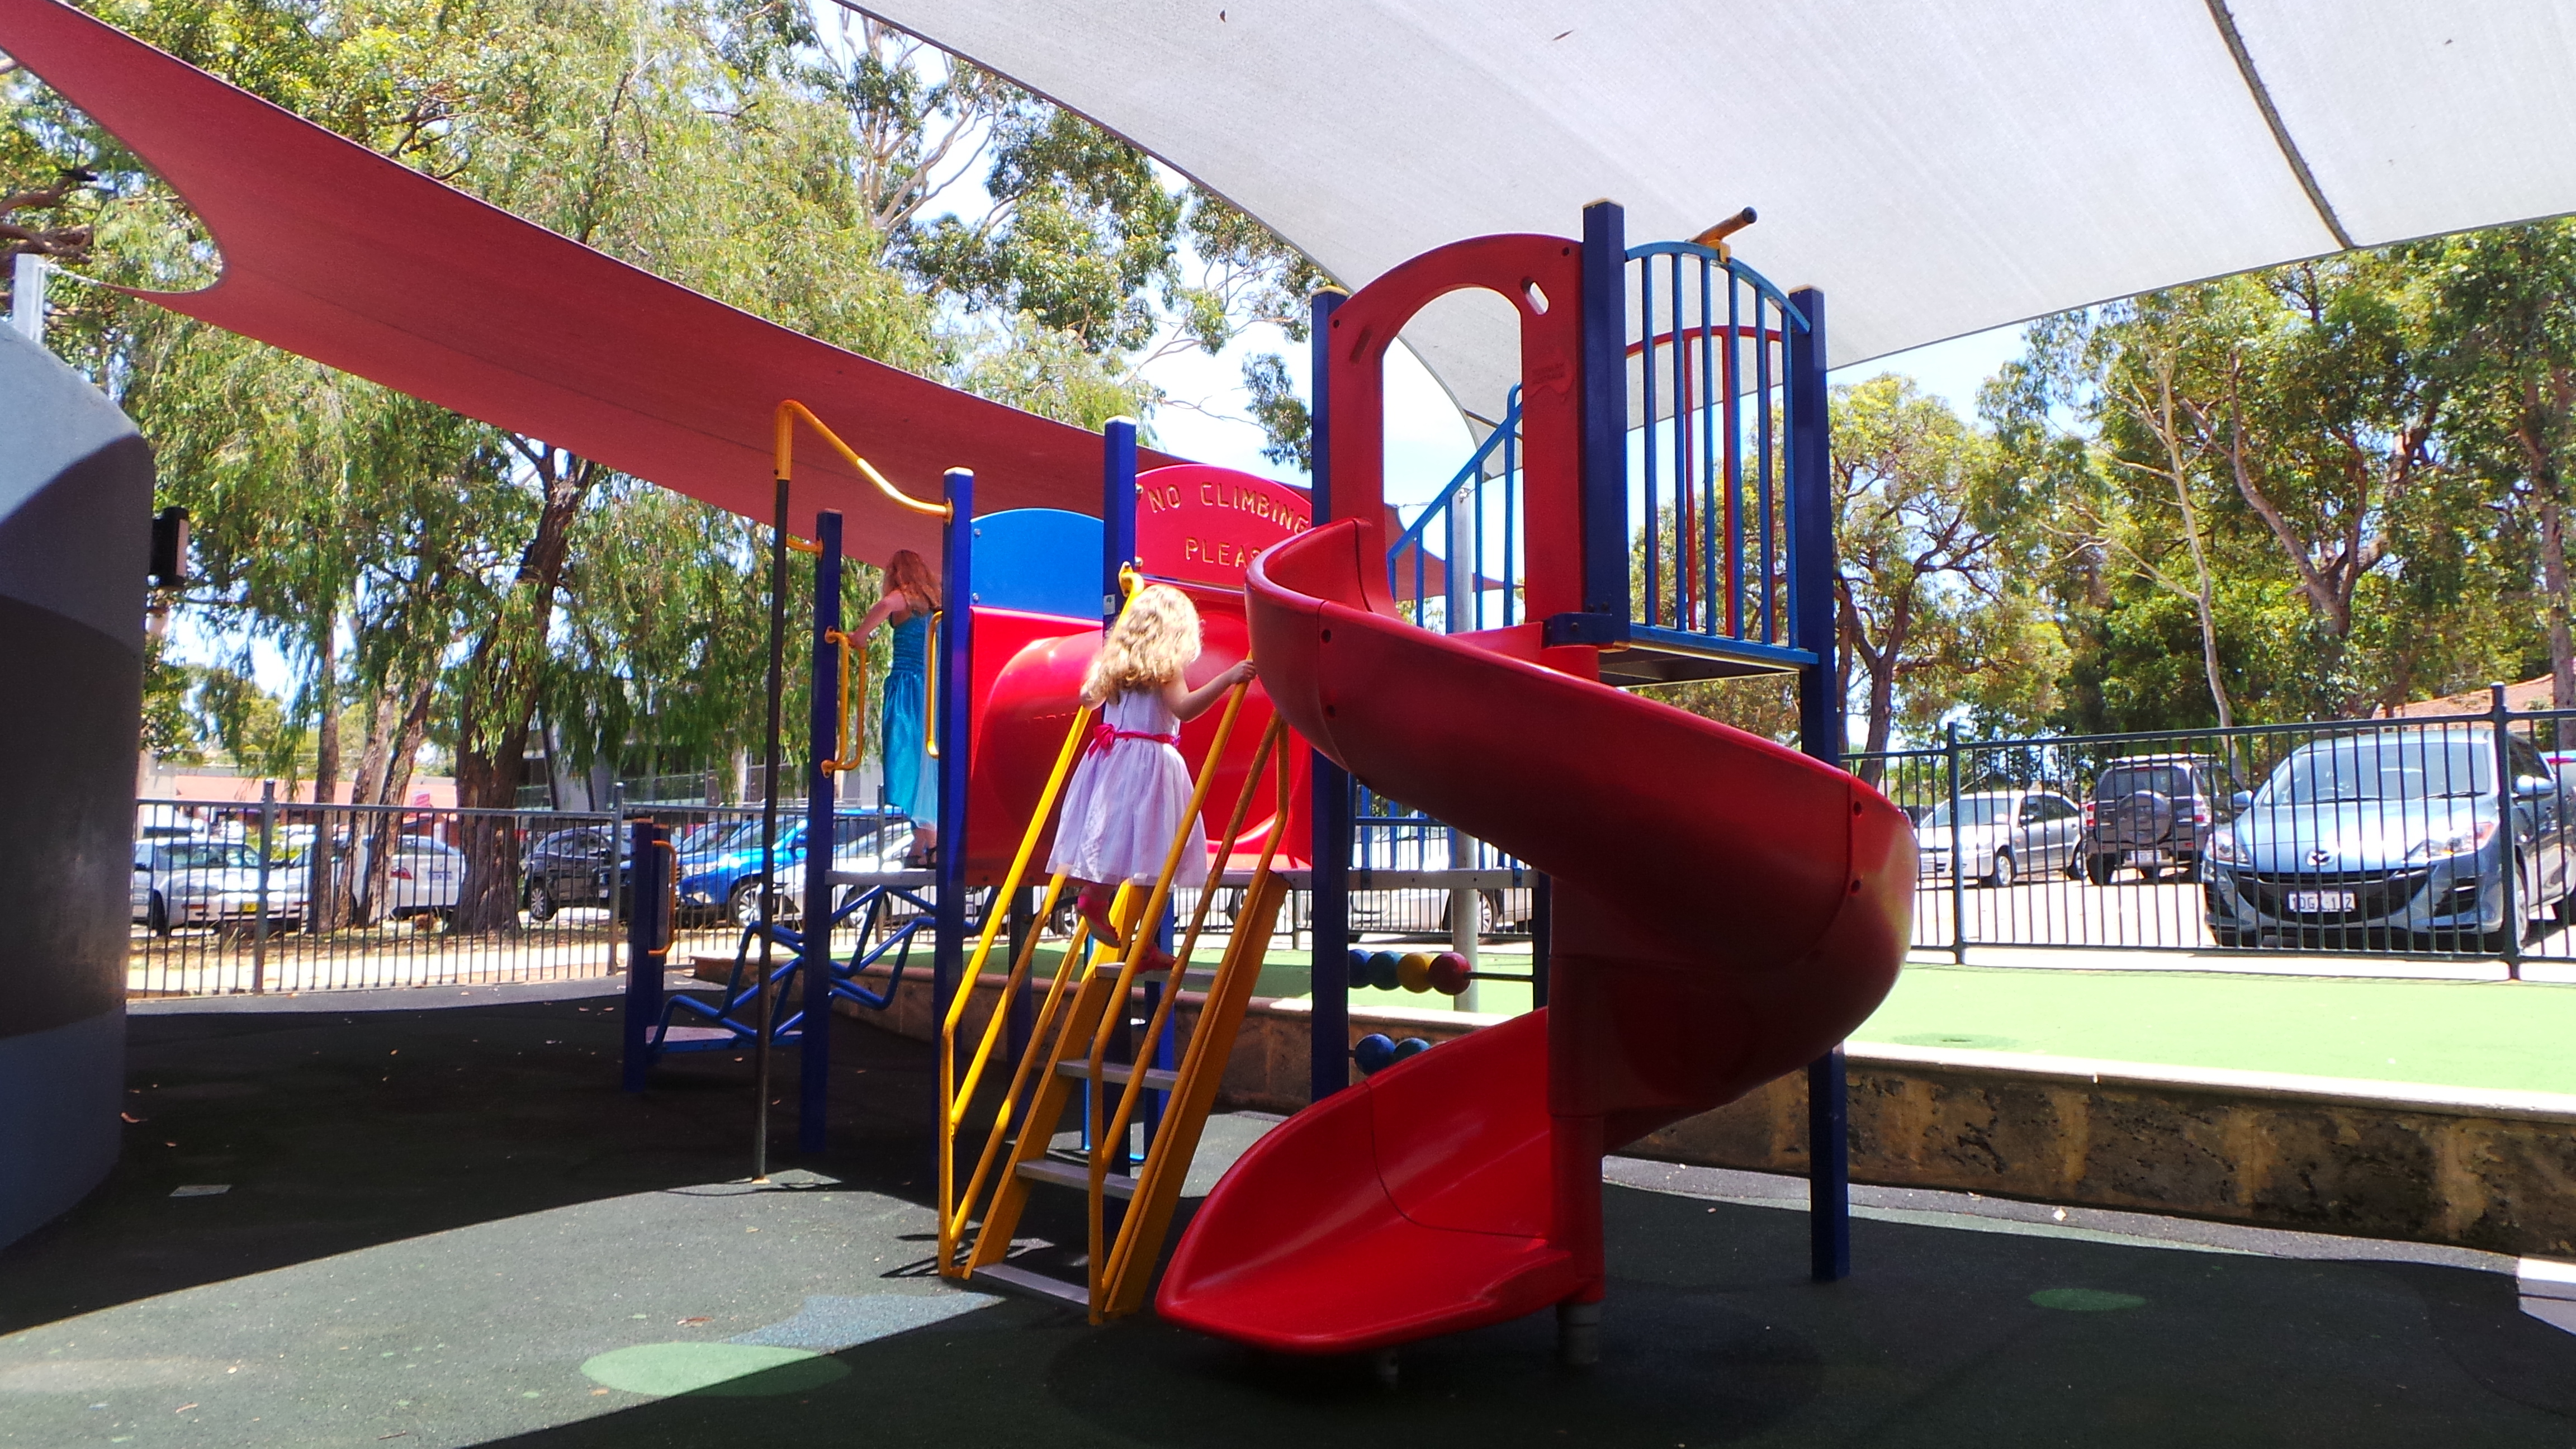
[[2302, 494]]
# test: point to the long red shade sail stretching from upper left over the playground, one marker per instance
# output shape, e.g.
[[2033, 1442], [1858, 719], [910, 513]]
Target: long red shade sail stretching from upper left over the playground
[[362, 264]]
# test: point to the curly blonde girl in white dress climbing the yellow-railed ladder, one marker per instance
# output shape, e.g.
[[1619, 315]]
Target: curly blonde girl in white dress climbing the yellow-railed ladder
[[1132, 788]]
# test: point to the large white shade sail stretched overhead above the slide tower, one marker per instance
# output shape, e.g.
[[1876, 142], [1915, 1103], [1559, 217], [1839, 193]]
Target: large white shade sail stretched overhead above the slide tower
[[1936, 166]]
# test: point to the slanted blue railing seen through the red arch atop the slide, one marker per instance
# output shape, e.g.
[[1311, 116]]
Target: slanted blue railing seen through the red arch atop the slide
[[1472, 525]]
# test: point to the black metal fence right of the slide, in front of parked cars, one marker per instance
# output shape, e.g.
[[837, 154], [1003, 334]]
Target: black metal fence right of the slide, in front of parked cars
[[2363, 837]]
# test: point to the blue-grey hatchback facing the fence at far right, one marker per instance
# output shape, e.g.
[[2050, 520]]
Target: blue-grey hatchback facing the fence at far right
[[2394, 834]]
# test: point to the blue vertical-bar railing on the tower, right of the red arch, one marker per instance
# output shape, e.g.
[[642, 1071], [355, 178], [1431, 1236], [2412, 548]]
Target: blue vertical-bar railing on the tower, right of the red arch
[[1712, 465]]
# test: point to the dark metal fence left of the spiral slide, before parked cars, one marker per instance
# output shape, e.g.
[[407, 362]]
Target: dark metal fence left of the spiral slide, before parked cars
[[285, 896]]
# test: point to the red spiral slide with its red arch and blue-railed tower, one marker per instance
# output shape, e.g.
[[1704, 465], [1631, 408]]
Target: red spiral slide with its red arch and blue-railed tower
[[1462, 1187]]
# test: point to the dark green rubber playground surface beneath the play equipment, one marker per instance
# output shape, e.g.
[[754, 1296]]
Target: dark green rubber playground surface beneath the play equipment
[[452, 1229]]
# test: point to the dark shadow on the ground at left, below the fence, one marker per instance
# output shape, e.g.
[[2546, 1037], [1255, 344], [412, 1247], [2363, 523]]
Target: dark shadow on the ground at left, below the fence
[[352, 1131]]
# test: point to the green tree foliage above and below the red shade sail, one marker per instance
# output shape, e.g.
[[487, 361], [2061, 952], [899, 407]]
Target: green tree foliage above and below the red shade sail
[[457, 587]]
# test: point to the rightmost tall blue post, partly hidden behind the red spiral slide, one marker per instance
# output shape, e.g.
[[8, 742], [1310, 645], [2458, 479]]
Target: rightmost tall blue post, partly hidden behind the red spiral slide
[[1820, 731]]
